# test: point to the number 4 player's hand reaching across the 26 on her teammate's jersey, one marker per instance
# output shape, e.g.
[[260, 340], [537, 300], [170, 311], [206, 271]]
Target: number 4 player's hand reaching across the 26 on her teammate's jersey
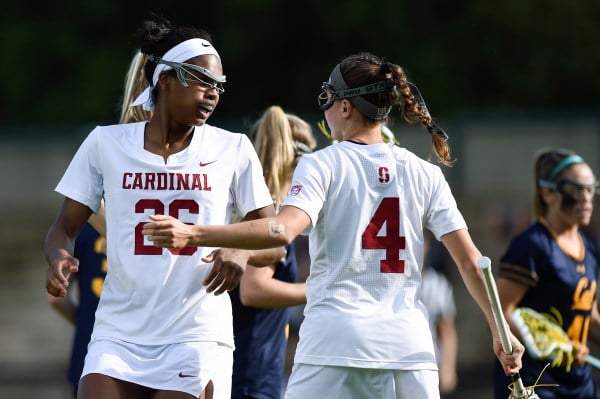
[[167, 232]]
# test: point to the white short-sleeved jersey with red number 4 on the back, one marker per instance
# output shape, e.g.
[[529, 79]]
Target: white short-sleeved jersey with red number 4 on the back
[[368, 205]]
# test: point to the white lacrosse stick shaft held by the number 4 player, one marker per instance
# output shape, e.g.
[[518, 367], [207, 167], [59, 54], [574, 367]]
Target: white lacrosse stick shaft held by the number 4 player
[[485, 265]]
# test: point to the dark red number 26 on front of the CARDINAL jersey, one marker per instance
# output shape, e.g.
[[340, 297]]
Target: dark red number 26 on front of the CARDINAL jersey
[[159, 209]]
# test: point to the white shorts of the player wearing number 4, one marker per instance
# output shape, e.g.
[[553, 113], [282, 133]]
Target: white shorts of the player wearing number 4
[[312, 381]]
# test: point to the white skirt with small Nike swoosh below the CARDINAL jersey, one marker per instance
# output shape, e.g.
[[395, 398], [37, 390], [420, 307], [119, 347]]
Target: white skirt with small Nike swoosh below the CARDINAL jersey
[[183, 367]]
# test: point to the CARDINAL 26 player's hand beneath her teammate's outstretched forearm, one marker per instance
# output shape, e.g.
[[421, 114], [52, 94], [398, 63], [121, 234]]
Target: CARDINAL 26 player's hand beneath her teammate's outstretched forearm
[[228, 267]]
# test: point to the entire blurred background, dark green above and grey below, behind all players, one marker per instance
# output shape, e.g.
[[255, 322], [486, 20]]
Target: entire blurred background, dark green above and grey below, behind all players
[[504, 79]]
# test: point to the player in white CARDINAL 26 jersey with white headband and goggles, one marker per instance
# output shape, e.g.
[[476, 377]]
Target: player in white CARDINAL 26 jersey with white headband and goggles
[[163, 329]]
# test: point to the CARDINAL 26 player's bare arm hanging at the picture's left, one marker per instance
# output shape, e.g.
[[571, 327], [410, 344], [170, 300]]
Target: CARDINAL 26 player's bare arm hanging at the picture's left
[[60, 243]]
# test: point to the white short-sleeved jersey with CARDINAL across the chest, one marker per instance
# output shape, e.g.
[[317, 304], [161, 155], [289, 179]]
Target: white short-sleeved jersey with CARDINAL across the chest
[[151, 295]]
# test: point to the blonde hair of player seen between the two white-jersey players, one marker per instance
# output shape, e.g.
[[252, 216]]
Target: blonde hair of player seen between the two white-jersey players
[[276, 138]]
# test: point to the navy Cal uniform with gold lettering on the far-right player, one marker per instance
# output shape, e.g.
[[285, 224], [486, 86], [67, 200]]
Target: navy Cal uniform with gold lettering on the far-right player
[[561, 286]]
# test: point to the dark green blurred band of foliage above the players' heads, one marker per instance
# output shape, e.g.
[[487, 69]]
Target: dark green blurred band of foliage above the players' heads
[[63, 62]]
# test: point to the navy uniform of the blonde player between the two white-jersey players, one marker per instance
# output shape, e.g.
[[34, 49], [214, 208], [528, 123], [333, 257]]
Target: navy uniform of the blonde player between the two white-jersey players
[[260, 341]]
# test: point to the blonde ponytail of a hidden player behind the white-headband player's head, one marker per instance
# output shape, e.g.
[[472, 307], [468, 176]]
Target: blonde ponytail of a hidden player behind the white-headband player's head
[[135, 83]]
